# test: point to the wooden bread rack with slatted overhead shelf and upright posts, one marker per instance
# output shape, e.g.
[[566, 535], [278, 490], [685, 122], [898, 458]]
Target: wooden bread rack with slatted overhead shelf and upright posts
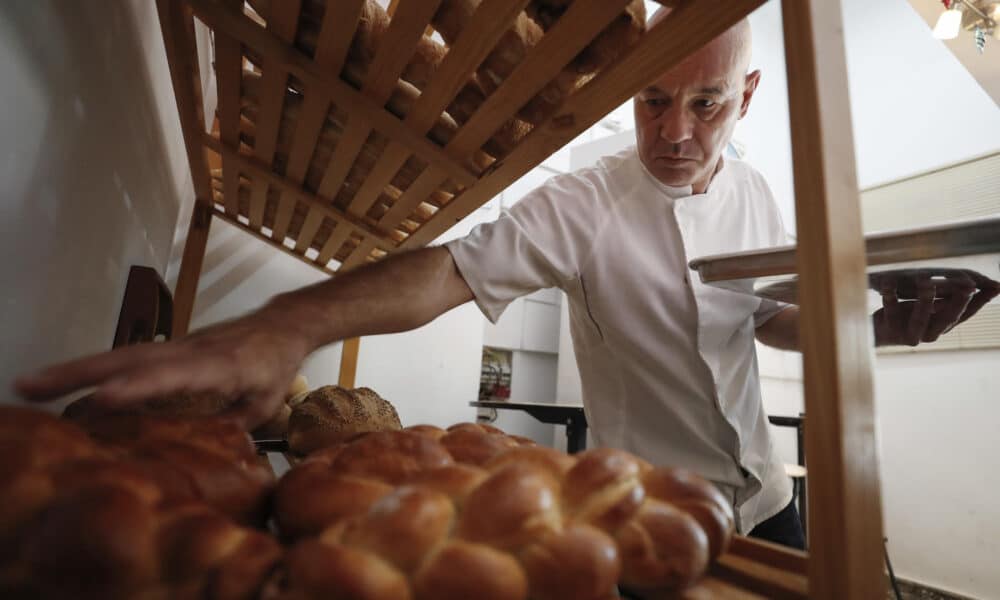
[[845, 519]]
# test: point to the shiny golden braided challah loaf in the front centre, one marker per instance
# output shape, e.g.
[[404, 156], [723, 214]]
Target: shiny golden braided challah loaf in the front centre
[[472, 513]]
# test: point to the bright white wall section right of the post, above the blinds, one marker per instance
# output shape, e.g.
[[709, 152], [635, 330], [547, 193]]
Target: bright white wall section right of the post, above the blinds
[[915, 107]]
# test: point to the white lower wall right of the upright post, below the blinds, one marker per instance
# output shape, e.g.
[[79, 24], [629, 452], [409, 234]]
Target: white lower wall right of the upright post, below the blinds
[[939, 423]]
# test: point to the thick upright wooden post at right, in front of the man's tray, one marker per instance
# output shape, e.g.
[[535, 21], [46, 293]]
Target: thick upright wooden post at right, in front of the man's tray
[[845, 514]]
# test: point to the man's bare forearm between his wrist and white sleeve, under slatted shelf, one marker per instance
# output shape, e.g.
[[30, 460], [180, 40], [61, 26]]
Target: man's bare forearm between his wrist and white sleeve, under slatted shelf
[[397, 294]]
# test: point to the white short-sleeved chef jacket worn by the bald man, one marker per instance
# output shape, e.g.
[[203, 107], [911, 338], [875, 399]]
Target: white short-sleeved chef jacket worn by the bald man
[[668, 364]]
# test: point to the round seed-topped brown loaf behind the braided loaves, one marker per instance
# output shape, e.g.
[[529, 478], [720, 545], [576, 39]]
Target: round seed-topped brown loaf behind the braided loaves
[[332, 414]]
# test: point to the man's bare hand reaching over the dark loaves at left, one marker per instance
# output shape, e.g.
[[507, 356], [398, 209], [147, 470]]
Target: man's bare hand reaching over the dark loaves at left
[[251, 360]]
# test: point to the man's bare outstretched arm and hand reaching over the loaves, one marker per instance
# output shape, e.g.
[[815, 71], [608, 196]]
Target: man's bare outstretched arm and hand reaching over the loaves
[[254, 357]]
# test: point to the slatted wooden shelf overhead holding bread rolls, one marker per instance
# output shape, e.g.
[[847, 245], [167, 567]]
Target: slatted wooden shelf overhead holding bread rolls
[[343, 135]]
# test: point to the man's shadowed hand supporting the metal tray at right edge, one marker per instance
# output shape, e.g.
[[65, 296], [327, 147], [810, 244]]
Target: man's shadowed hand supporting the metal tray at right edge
[[919, 305]]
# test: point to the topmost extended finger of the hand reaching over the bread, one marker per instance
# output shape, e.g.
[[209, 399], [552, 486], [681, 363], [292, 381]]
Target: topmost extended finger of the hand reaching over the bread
[[64, 378]]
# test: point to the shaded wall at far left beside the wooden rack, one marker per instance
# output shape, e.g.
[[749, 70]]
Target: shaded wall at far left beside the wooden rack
[[93, 171]]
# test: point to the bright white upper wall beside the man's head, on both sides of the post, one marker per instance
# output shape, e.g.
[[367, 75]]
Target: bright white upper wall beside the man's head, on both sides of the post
[[914, 107]]
